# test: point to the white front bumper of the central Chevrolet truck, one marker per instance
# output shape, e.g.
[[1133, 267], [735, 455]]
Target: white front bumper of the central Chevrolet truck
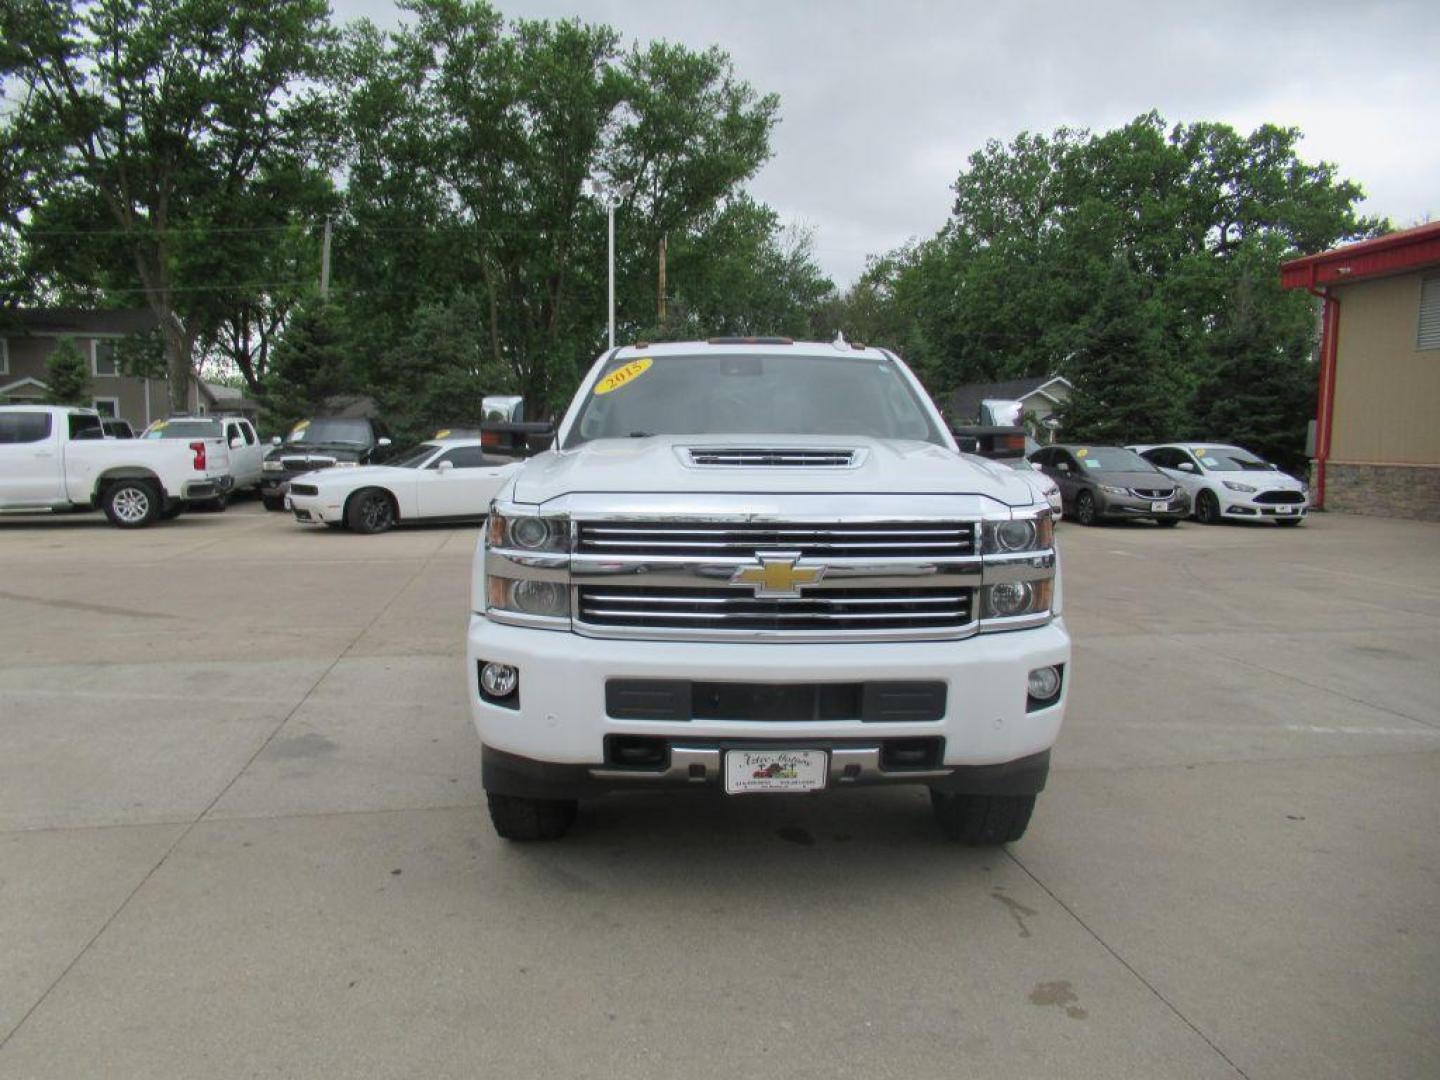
[[562, 716]]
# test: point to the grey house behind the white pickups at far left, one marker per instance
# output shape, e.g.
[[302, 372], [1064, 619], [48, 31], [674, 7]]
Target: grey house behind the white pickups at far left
[[30, 336]]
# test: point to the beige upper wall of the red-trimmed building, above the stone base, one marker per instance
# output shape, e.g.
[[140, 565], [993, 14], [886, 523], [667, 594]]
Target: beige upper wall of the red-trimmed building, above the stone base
[[1387, 392]]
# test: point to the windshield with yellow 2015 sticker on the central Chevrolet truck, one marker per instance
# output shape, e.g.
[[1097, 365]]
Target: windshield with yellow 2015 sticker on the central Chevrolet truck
[[751, 395]]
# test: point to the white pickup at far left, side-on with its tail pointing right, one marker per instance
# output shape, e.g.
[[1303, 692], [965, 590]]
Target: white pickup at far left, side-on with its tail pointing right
[[58, 459]]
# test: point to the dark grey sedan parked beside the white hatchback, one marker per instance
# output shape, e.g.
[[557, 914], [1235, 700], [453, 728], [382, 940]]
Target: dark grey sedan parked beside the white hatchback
[[1099, 483]]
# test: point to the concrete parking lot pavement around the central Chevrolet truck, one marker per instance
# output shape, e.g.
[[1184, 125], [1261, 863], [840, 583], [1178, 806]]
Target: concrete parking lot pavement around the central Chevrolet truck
[[243, 834]]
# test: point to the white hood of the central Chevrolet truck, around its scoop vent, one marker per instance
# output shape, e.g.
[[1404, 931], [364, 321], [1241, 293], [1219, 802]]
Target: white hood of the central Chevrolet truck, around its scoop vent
[[662, 464]]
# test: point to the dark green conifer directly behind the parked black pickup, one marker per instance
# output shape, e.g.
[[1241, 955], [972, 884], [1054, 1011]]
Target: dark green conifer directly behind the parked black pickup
[[312, 365]]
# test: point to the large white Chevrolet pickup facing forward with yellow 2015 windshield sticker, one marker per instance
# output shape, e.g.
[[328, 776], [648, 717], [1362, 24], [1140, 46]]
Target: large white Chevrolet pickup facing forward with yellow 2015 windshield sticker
[[762, 567]]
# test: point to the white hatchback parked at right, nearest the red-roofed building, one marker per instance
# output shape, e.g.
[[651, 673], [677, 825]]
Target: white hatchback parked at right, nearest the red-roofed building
[[1230, 483]]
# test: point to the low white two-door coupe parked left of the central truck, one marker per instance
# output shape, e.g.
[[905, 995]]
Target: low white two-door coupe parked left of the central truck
[[438, 480]]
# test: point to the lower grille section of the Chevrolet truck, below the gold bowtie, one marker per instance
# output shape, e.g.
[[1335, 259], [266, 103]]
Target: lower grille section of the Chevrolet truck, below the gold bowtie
[[735, 610]]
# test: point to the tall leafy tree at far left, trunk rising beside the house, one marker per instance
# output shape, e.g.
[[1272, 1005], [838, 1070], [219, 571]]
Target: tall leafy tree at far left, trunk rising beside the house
[[169, 135]]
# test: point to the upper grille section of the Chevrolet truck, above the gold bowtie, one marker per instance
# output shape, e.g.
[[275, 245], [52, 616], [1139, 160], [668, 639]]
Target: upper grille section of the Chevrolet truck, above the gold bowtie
[[741, 539]]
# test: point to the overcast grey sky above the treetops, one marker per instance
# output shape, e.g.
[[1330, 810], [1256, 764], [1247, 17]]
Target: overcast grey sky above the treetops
[[882, 102]]
